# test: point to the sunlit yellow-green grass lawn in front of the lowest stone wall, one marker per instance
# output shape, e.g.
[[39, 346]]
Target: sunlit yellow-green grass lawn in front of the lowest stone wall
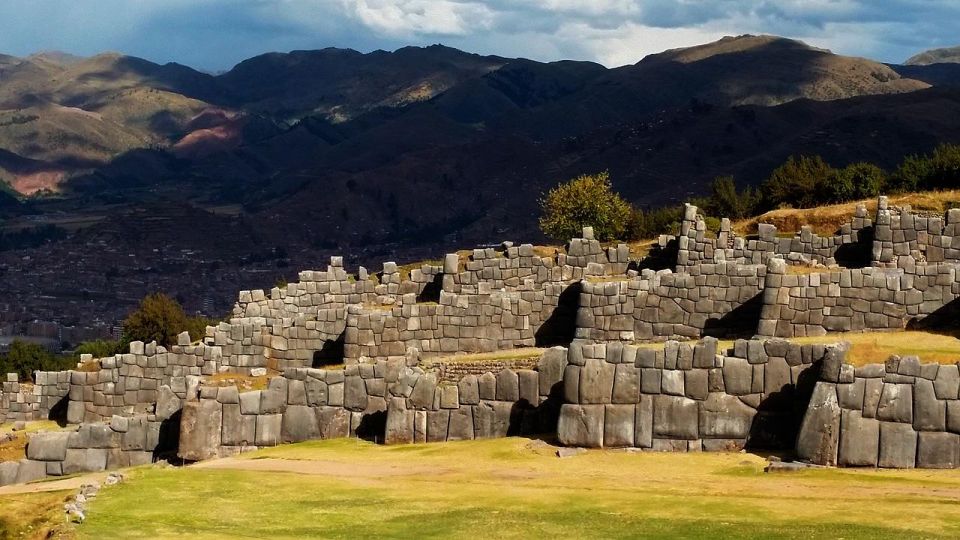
[[516, 488]]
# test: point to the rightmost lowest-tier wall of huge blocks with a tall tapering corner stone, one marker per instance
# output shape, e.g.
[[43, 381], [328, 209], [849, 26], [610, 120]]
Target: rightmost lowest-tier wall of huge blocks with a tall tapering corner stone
[[901, 414]]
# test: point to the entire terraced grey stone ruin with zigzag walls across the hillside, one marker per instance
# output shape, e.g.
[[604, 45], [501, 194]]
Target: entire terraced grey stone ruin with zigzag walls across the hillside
[[617, 354]]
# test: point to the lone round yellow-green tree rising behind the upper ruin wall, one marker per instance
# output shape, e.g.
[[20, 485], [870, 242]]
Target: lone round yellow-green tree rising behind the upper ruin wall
[[587, 200]]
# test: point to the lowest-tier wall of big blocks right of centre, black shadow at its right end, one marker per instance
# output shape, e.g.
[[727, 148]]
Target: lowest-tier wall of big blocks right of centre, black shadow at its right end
[[686, 397]]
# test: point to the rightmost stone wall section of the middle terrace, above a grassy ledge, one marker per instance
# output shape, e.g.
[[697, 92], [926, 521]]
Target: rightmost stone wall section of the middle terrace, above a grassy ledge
[[853, 299]]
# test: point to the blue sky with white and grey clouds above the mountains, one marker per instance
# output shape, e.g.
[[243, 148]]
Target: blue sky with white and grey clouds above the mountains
[[214, 35]]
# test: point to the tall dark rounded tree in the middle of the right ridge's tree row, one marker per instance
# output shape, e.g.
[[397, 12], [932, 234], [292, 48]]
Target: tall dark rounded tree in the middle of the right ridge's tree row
[[797, 182]]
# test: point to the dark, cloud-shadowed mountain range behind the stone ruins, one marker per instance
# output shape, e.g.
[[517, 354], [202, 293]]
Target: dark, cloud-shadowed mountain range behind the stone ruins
[[390, 154]]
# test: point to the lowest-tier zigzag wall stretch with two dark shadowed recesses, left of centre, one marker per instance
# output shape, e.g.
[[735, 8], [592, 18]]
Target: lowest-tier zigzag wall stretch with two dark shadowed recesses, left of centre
[[386, 401]]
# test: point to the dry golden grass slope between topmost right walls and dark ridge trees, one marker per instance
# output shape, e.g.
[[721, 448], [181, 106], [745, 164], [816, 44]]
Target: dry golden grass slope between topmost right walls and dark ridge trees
[[827, 219]]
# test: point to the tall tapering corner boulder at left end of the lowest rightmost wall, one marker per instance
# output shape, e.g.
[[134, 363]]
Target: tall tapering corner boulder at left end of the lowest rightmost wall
[[819, 435]]
